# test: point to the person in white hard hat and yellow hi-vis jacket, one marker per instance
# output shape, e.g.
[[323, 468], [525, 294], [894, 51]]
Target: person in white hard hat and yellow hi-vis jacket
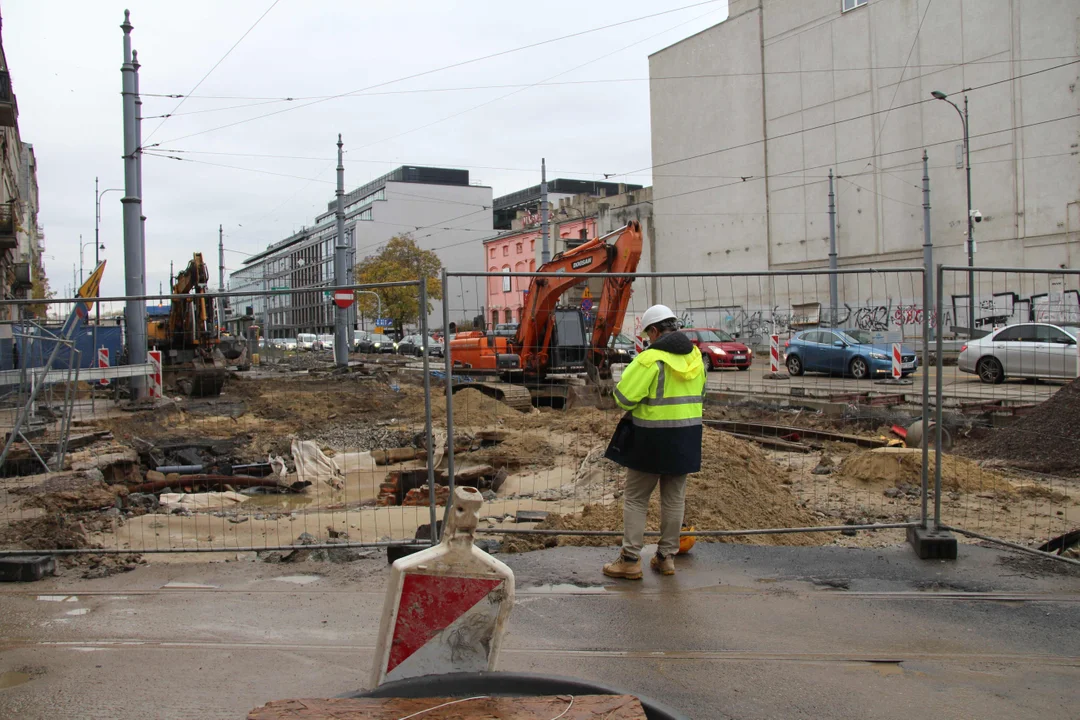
[[659, 440]]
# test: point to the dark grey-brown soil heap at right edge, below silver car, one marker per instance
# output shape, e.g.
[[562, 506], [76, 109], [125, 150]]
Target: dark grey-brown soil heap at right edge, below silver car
[[1047, 440]]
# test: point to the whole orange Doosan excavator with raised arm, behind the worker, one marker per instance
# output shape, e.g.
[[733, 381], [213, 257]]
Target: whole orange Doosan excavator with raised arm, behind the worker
[[553, 338]]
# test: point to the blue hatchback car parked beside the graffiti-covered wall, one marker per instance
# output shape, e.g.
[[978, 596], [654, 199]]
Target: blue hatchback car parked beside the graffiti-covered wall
[[845, 352]]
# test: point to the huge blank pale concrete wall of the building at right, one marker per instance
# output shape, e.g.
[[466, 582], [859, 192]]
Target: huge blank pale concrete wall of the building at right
[[818, 85]]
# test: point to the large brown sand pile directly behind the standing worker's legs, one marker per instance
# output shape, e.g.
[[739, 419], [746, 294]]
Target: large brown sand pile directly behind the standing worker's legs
[[738, 488]]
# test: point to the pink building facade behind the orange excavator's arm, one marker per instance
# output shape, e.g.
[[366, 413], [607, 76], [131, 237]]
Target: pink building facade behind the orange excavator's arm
[[519, 251]]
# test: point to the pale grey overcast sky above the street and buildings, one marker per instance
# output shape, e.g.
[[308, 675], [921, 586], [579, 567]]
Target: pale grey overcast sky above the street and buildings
[[65, 57]]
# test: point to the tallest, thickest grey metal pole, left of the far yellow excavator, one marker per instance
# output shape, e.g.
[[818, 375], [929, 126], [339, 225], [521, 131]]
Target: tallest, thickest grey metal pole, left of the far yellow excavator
[[134, 310]]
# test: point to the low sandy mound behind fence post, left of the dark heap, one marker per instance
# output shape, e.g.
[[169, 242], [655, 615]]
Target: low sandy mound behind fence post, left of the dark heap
[[896, 467]]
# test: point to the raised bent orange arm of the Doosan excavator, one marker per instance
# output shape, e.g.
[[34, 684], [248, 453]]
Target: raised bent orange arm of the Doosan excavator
[[533, 342]]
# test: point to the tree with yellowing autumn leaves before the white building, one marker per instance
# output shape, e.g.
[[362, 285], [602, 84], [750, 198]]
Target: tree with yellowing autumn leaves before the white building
[[400, 260]]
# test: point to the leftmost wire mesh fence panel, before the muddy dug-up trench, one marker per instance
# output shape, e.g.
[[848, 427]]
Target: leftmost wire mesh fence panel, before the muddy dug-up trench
[[253, 440]]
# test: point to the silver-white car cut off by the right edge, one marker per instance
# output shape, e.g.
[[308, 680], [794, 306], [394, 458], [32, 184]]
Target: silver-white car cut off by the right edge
[[1030, 350]]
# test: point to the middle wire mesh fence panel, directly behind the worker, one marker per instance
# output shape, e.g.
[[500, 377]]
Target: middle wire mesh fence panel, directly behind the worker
[[807, 441]]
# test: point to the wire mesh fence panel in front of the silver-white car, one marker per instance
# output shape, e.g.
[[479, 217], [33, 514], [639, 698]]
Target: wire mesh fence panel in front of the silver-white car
[[1007, 403]]
